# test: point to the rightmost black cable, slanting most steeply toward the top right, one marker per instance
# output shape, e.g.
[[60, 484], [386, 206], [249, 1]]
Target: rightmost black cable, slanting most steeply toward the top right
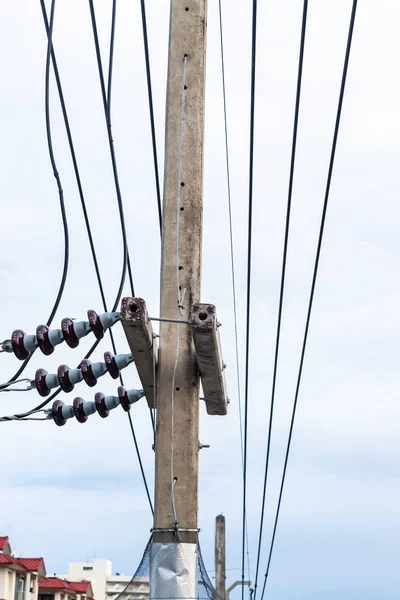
[[316, 264]]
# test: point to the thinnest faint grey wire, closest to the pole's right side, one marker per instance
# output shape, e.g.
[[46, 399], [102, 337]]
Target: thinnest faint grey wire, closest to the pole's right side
[[233, 278]]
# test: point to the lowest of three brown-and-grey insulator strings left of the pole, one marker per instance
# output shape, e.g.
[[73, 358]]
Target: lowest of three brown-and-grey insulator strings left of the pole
[[102, 404]]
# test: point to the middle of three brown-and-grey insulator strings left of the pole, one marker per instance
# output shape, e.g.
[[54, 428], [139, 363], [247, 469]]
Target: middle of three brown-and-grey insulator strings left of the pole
[[89, 372]]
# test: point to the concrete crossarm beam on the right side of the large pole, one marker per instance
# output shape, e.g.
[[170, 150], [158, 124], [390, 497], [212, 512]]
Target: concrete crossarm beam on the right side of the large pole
[[207, 344]]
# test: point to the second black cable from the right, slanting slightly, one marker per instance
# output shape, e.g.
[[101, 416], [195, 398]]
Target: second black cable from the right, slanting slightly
[[283, 276]]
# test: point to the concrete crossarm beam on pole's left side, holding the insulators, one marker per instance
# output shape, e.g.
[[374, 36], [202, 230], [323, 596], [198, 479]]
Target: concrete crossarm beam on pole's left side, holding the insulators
[[142, 343]]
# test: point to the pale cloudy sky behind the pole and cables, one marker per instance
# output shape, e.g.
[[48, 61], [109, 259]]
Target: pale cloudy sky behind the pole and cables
[[74, 493]]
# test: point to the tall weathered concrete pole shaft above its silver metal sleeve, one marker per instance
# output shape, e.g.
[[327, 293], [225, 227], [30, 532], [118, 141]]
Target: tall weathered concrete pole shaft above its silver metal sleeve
[[177, 443]]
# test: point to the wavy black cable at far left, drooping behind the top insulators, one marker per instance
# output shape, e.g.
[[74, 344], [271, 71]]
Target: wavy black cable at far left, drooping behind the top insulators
[[60, 192]]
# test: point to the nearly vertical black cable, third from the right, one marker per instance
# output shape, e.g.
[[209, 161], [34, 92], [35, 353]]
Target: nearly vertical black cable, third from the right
[[249, 254]]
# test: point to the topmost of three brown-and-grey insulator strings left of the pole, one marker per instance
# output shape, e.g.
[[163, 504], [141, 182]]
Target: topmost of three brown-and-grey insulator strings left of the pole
[[71, 332]]
